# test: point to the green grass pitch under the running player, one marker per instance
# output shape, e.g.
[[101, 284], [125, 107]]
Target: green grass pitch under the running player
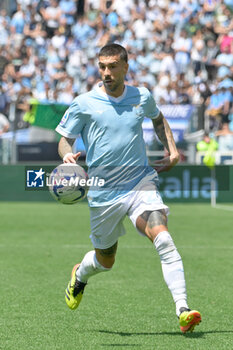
[[127, 308]]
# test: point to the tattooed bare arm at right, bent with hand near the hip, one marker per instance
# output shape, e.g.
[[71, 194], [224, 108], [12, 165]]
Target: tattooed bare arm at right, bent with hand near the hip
[[165, 135]]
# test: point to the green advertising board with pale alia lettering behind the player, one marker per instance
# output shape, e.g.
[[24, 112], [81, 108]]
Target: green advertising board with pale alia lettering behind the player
[[182, 184]]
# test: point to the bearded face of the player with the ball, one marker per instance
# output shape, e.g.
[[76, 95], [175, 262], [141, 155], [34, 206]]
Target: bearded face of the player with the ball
[[113, 70]]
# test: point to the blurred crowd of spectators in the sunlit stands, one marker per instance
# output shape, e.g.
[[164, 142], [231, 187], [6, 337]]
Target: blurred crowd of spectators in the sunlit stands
[[181, 50]]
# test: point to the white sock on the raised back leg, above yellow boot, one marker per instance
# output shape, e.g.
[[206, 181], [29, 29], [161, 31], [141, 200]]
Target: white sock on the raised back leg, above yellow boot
[[89, 267]]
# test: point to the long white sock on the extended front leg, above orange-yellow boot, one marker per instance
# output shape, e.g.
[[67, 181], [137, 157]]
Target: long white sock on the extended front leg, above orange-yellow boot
[[172, 268]]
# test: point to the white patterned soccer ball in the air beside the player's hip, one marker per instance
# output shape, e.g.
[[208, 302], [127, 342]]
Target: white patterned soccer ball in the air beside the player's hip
[[67, 183]]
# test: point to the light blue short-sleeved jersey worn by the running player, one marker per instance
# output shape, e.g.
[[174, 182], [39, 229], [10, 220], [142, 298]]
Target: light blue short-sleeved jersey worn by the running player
[[111, 129]]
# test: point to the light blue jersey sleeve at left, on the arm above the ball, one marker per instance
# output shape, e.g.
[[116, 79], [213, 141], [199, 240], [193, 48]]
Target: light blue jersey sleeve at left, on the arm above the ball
[[72, 122]]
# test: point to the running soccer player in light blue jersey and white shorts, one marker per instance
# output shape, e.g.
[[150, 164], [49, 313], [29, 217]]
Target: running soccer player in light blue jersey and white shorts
[[109, 118]]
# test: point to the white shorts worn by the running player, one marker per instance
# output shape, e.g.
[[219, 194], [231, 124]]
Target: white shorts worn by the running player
[[107, 221]]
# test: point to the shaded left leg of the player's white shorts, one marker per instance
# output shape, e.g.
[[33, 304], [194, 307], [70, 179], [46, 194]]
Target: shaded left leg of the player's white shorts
[[107, 225]]
